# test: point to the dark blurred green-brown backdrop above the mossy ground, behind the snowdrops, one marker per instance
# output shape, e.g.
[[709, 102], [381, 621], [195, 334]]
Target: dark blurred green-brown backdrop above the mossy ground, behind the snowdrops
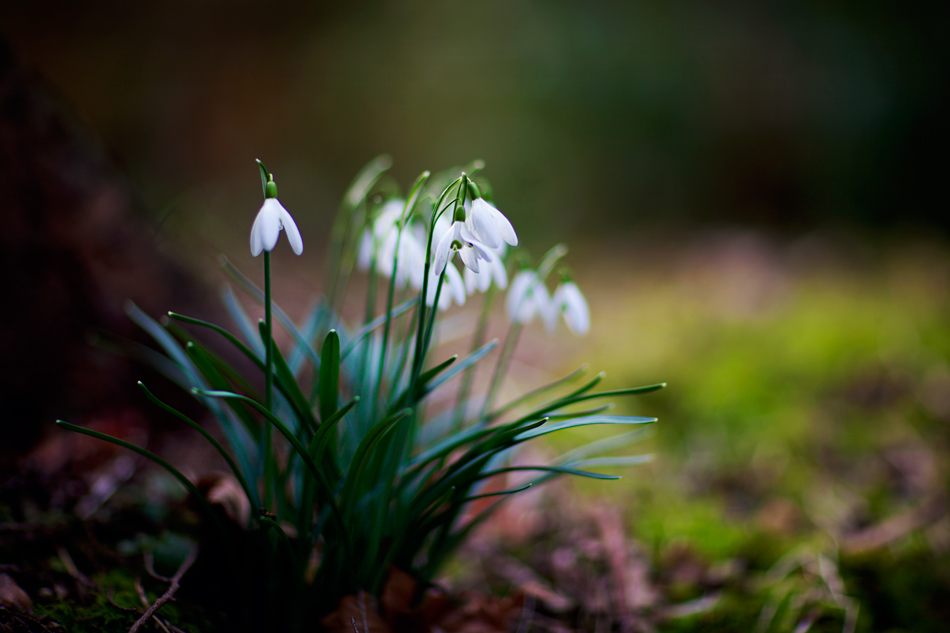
[[592, 116]]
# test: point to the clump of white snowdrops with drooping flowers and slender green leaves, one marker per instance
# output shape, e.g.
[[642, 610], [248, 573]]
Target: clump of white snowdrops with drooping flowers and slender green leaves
[[352, 472]]
